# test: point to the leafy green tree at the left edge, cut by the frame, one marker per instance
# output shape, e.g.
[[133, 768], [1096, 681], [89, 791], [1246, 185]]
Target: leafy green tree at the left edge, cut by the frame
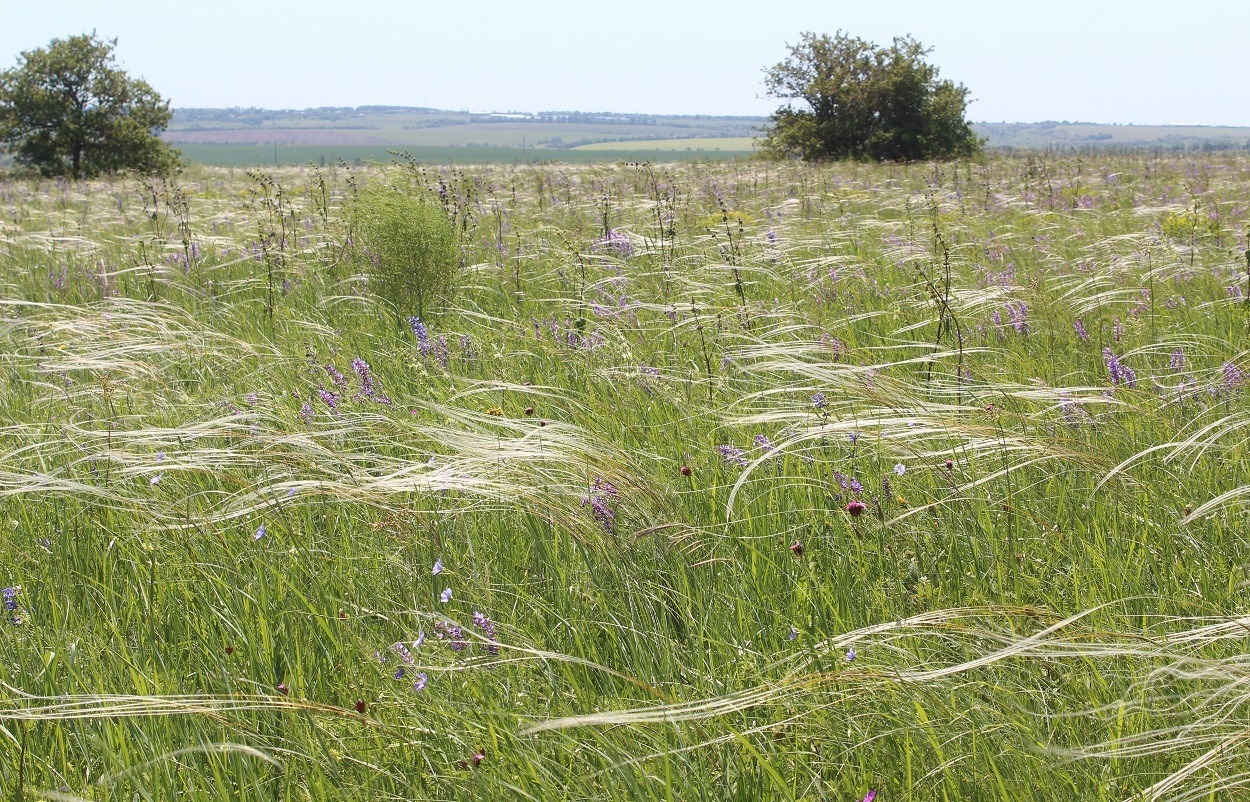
[[68, 111]]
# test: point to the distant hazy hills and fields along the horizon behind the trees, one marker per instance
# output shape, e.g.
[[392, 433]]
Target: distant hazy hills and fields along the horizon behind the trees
[[244, 137]]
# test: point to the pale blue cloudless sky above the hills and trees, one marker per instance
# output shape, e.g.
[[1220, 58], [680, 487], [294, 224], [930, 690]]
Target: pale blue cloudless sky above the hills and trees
[[1142, 62]]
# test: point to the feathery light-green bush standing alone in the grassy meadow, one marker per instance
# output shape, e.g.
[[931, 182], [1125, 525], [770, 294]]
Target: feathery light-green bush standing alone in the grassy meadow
[[409, 245]]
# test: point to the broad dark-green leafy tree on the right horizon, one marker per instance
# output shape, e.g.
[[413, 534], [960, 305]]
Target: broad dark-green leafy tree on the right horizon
[[868, 103]]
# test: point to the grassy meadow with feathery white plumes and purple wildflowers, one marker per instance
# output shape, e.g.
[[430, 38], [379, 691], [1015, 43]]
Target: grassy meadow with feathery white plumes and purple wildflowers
[[711, 482]]
